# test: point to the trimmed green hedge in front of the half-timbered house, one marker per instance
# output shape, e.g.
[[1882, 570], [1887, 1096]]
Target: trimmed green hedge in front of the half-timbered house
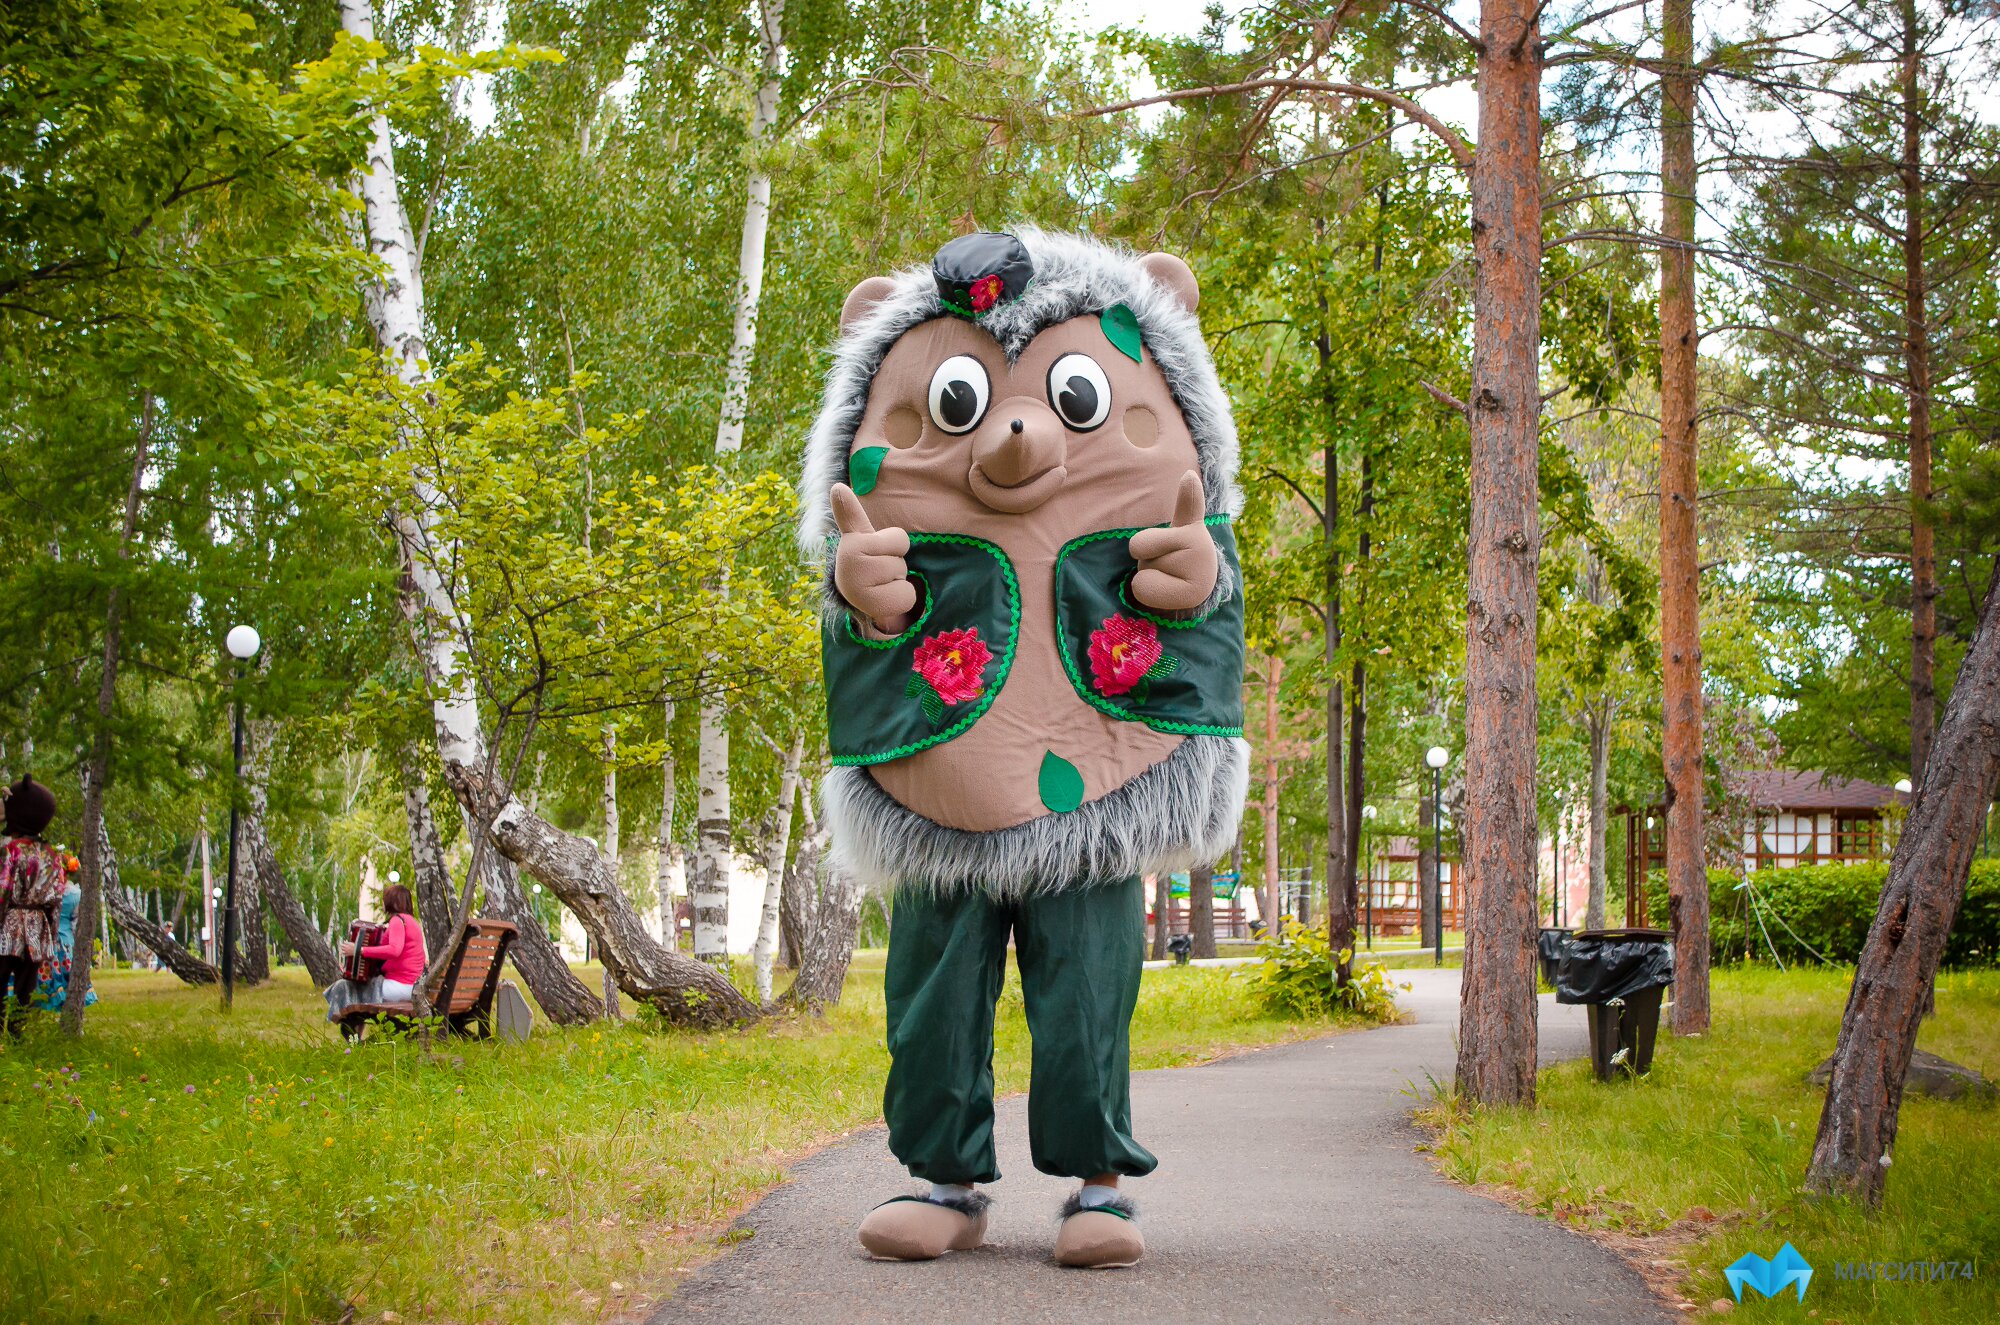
[[1823, 912]]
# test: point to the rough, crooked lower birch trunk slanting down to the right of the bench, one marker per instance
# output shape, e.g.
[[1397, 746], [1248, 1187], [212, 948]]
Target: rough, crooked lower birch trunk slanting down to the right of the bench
[[681, 990]]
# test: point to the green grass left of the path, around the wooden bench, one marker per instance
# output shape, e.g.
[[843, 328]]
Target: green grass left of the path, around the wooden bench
[[185, 1166]]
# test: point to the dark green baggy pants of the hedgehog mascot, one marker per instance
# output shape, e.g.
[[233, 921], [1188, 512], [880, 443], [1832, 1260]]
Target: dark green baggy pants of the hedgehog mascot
[[1079, 956]]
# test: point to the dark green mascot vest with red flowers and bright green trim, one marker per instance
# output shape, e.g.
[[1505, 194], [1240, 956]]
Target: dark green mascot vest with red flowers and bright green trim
[[887, 700]]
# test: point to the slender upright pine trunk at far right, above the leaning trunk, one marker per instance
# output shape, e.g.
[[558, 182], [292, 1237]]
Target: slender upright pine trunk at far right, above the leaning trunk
[[1917, 347]]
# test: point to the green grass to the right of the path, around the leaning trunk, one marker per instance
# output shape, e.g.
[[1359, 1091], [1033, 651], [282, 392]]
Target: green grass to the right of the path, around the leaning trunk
[[1705, 1158]]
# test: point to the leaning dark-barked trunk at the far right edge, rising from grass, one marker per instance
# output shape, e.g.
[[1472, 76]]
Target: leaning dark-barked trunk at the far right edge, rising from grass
[[1925, 890]]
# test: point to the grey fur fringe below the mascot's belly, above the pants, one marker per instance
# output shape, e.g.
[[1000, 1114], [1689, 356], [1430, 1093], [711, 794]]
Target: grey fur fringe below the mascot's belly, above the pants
[[1177, 814]]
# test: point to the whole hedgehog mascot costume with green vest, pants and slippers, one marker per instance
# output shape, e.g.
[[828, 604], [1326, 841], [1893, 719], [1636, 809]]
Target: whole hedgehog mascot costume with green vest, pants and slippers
[[1021, 483]]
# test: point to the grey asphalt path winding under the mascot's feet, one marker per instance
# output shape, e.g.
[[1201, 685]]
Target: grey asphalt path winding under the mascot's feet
[[1289, 1190]]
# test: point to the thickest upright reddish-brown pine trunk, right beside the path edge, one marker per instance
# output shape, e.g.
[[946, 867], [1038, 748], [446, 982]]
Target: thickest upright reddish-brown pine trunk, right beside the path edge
[[1497, 1030]]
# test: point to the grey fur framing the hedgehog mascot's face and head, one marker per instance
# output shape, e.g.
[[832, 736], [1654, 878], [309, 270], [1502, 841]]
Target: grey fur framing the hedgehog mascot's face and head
[[1075, 275]]
